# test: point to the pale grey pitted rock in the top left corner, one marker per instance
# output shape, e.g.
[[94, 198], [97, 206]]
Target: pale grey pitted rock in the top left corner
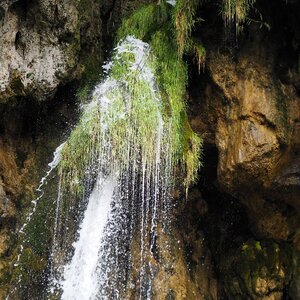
[[44, 43]]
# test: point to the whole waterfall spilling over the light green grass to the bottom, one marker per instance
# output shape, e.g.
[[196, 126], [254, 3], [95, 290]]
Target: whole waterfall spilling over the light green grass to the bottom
[[118, 166]]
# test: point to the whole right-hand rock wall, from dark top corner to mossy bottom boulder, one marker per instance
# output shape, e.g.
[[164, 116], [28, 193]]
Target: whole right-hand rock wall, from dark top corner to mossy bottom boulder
[[248, 106]]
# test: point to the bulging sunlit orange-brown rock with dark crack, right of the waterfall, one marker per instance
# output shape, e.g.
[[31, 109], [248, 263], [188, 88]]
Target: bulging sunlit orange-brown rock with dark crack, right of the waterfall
[[253, 118]]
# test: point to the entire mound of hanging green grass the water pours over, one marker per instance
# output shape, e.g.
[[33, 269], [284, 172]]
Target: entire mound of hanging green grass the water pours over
[[147, 92]]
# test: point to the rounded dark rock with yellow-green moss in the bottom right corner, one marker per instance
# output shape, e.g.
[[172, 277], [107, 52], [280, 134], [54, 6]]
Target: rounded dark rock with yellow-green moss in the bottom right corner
[[264, 261]]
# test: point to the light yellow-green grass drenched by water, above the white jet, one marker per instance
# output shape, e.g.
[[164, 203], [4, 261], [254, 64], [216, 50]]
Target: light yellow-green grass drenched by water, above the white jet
[[133, 129]]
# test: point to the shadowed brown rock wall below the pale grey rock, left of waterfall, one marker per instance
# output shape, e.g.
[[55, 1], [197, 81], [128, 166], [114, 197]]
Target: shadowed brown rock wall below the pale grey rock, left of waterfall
[[29, 134]]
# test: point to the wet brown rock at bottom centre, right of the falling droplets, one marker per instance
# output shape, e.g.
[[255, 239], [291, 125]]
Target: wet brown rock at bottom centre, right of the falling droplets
[[185, 270]]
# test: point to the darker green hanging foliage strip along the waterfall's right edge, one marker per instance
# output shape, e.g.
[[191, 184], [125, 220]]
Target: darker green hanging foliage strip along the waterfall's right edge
[[169, 40]]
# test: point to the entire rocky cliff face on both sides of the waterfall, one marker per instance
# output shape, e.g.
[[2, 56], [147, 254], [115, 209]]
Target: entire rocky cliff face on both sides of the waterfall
[[244, 229]]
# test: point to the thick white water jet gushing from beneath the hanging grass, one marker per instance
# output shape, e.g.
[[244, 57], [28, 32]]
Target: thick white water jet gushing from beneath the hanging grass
[[80, 280]]
